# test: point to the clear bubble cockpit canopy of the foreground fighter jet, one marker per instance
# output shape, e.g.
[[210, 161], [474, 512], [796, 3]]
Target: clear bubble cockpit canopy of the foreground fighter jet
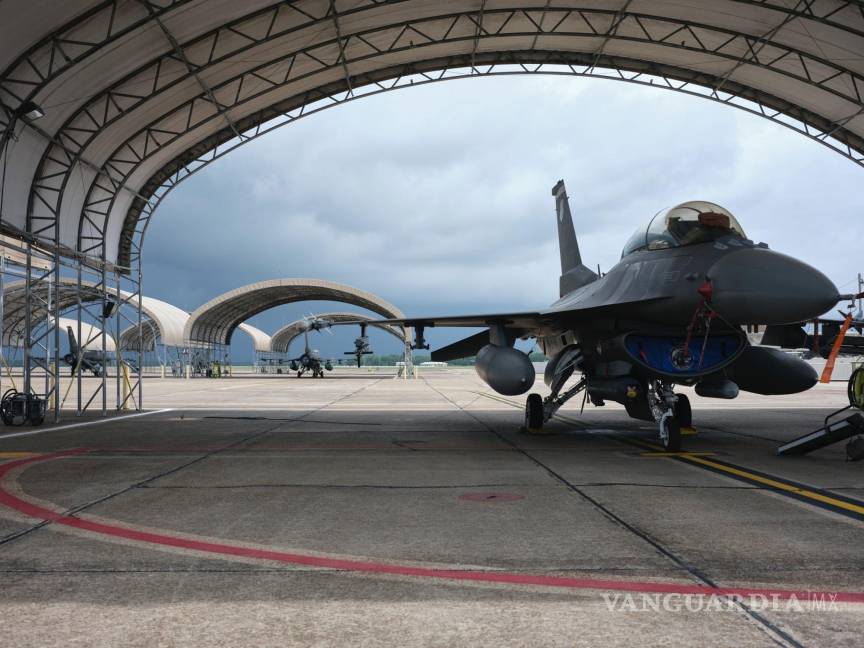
[[687, 224]]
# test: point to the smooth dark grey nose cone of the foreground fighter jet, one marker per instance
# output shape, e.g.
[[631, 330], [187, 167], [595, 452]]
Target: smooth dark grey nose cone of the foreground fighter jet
[[759, 286]]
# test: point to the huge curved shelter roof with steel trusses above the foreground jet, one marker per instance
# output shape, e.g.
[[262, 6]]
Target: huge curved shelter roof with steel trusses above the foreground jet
[[138, 95]]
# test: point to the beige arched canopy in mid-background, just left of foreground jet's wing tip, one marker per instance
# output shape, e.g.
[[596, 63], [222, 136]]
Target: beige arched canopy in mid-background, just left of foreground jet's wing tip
[[215, 321]]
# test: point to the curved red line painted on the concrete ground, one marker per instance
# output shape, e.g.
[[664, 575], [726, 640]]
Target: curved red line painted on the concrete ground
[[218, 548]]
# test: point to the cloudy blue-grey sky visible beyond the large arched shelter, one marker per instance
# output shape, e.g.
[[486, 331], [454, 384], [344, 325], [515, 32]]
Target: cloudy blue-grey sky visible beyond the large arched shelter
[[438, 197]]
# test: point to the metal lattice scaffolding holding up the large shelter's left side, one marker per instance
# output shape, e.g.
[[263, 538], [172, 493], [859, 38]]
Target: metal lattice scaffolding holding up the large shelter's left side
[[40, 291]]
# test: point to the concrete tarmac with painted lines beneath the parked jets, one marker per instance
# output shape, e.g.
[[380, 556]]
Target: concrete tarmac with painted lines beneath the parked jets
[[366, 510]]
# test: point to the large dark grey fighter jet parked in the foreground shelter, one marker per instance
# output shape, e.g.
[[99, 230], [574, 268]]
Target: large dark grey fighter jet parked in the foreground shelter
[[669, 313]]
